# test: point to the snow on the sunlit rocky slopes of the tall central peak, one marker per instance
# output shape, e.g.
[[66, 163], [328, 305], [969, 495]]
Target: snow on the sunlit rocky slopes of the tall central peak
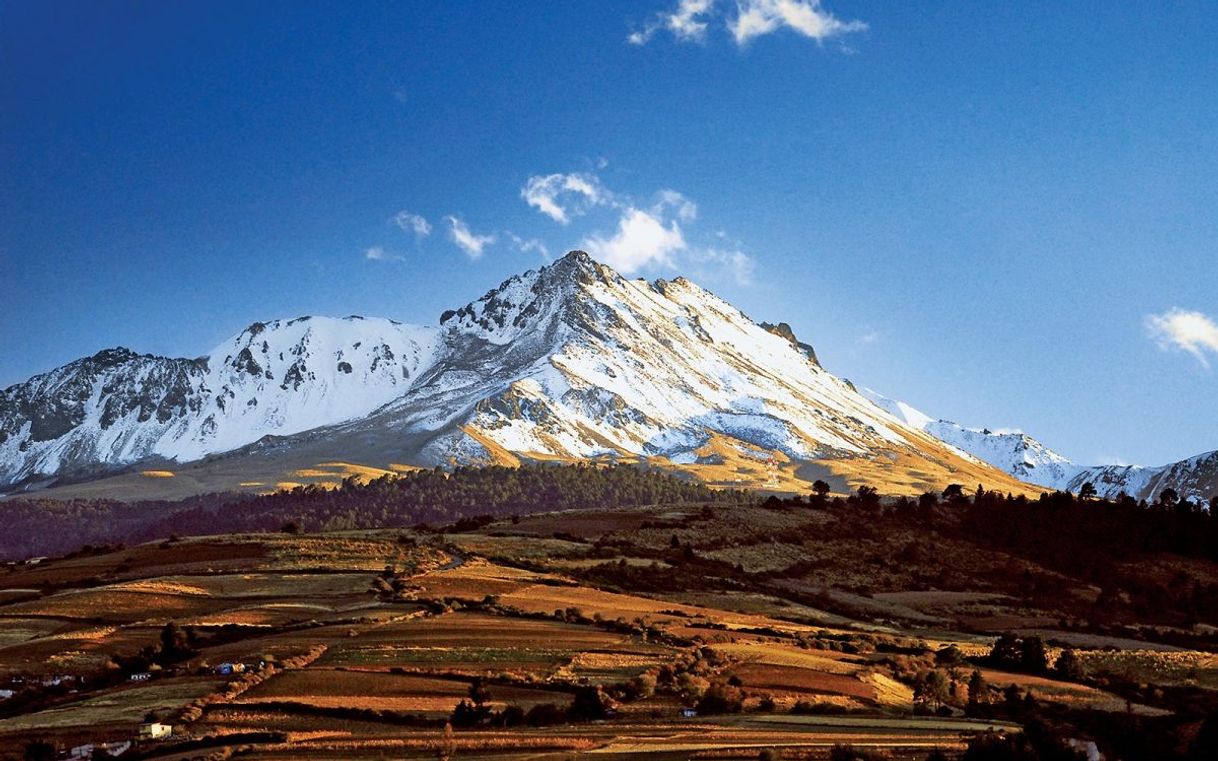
[[595, 365]]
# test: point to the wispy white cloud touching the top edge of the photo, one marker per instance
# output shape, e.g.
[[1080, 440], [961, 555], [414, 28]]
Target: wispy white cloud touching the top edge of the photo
[[752, 19]]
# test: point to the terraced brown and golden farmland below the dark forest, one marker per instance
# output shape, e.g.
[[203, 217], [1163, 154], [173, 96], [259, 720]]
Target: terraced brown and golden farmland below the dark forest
[[690, 630]]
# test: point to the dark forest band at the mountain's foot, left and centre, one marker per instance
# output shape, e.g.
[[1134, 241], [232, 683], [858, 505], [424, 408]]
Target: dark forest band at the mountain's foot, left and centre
[[51, 528]]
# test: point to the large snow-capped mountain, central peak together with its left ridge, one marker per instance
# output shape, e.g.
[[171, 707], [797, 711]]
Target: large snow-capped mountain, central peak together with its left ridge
[[569, 362]]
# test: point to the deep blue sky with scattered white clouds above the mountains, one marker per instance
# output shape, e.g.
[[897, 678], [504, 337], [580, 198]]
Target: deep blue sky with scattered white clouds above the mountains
[[1003, 214]]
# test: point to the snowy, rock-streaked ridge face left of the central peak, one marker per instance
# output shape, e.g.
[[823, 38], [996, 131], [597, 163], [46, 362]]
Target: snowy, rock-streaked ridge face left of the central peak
[[278, 378]]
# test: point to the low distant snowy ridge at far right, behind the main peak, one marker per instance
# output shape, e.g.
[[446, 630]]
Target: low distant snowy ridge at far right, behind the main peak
[[1027, 460]]
